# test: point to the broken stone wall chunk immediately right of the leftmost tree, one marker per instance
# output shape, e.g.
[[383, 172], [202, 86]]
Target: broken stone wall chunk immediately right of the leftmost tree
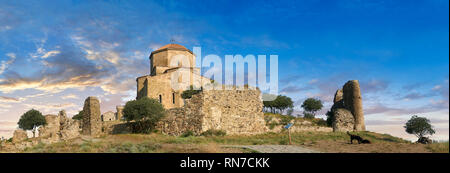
[[50, 131]]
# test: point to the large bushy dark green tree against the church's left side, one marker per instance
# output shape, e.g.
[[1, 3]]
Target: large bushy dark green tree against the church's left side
[[145, 112]]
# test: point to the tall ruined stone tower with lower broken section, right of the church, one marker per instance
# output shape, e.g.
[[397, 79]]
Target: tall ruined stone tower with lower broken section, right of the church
[[347, 109]]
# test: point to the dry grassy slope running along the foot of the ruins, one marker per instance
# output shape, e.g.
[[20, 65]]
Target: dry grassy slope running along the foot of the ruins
[[322, 141]]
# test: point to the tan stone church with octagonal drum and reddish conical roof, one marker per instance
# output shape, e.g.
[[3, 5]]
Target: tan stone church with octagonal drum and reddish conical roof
[[163, 65]]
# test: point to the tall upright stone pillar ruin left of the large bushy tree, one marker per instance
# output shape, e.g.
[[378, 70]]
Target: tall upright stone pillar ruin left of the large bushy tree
[[91, 117]]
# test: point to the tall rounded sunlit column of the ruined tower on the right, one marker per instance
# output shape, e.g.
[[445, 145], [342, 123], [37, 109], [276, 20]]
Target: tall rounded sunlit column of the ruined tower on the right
[[353, 102]]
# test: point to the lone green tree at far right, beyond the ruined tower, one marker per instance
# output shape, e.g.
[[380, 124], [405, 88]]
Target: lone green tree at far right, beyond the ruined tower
[[419, 126]]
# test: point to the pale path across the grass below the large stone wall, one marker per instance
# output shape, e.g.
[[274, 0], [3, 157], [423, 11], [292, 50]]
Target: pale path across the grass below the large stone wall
[[276, 148]]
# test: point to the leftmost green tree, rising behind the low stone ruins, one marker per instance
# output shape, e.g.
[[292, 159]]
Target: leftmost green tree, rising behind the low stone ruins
[[31, 120]]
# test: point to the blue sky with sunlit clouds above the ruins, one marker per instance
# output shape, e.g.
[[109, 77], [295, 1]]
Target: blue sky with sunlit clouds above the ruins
[[54, 54]]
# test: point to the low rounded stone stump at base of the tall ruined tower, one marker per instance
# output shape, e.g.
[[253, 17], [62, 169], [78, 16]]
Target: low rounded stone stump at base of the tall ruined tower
[[343, 120]]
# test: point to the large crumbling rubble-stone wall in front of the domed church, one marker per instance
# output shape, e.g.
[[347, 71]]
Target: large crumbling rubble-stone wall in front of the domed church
[[233, 111]]
